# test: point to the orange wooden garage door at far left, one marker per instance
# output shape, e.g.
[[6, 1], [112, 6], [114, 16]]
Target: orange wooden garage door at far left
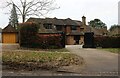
[[9, 37]]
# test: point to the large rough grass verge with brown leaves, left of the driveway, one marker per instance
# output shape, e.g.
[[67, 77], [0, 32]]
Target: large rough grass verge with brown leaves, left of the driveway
[[40, 60]]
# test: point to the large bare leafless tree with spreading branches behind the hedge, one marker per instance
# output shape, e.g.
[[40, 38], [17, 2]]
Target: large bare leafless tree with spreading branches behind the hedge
[[32, 7]]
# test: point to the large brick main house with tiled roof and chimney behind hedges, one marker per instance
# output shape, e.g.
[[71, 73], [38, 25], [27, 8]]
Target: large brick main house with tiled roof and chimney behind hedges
[[73, 29]]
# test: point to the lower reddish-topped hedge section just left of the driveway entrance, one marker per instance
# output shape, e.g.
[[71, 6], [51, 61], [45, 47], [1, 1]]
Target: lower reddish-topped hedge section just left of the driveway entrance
[[49, 41]]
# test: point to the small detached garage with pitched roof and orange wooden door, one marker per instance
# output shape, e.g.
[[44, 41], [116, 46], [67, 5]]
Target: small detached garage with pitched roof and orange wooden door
[[9, 34]]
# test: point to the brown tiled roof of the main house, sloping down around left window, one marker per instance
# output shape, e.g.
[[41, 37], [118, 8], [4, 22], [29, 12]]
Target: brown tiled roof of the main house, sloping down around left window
[[53, 21]]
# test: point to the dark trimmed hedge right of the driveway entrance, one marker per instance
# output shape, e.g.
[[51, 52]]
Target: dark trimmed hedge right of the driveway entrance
[[107, 42]]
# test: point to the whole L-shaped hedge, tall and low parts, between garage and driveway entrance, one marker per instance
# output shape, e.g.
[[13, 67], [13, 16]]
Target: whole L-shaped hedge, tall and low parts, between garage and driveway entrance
[[29, 37]]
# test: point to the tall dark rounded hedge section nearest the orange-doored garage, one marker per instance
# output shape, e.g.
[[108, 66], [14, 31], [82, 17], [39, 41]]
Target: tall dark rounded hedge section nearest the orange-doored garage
[[28, 33]]
